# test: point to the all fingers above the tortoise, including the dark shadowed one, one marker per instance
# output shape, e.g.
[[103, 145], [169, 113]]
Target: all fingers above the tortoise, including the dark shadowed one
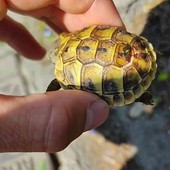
[[98, 12]]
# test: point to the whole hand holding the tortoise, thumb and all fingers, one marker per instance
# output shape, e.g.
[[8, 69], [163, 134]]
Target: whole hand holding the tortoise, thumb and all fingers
[[49, 122]]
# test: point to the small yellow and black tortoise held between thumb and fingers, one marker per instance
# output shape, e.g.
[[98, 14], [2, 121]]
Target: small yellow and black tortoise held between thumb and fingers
[[105, 60]]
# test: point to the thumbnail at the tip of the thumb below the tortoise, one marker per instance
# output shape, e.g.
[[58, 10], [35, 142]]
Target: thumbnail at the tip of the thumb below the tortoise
[[97, 113]]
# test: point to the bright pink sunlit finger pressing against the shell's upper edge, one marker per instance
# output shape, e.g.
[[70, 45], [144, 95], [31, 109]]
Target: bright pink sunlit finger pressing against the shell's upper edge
[[99, 13]]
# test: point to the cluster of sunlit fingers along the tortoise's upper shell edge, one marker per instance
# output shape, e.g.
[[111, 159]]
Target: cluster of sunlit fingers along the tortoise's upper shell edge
[[70, 15]]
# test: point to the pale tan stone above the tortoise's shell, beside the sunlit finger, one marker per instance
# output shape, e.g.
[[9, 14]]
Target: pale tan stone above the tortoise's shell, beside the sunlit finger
[[134, 13]]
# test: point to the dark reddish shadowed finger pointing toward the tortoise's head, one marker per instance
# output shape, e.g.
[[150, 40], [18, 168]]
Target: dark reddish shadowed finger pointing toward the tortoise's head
[[20, 39]]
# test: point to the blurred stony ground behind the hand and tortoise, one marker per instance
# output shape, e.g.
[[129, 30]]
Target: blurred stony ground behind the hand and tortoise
[[135, 137]]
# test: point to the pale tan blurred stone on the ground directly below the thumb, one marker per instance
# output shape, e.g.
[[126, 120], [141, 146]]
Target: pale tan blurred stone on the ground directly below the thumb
[[92, 151]]
